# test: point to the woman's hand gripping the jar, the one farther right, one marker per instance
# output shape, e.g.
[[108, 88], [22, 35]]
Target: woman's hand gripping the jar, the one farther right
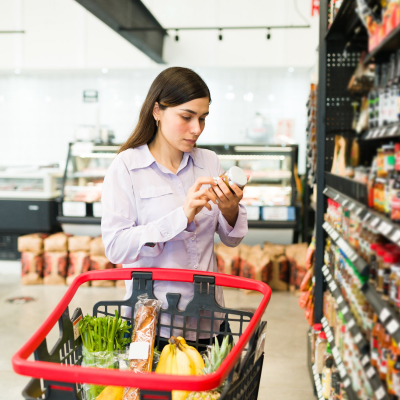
[[228, 203]]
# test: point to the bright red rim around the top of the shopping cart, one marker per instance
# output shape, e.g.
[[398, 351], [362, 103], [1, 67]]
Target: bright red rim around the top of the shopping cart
[[78, 374]]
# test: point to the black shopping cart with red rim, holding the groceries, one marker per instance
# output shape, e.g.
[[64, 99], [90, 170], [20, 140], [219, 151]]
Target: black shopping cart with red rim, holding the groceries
[[58, 374]]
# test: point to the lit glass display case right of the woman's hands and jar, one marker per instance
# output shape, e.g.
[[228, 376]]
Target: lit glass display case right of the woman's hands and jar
[[270, 196]]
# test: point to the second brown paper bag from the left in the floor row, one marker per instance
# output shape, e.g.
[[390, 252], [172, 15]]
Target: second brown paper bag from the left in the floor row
[[55, 259]]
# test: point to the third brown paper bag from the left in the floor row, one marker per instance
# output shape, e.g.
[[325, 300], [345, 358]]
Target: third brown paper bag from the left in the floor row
[[79, 259]]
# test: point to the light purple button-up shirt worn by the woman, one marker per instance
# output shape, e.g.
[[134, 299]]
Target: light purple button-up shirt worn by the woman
[[144, 225]]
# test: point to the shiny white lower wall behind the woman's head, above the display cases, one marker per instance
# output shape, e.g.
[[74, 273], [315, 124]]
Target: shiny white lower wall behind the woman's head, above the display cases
[[39, 112]]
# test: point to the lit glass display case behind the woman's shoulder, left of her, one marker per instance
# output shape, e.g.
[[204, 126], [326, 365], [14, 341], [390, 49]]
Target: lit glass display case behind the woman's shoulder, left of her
[[80, 206]]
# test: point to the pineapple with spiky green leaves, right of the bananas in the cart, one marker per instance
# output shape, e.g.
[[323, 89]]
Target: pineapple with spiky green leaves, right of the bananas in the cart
[[212, 360]]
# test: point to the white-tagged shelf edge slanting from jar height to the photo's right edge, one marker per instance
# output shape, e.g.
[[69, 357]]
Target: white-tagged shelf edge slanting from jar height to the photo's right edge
[[374, 219]]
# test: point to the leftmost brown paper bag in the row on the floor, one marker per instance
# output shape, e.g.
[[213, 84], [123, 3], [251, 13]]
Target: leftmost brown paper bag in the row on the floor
[[32, 261]]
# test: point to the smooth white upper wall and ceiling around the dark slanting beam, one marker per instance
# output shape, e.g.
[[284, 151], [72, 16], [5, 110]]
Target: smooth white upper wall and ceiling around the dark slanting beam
[[60, 34]]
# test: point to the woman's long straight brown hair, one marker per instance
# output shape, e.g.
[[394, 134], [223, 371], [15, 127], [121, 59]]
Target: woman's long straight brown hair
[[172, 87]]
